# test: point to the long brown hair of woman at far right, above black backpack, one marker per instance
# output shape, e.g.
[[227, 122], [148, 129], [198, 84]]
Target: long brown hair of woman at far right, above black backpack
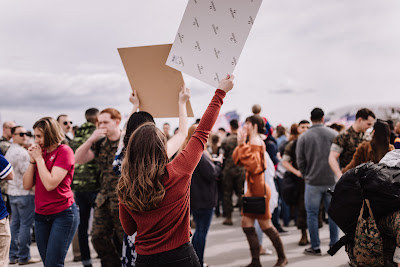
[[381, 139]]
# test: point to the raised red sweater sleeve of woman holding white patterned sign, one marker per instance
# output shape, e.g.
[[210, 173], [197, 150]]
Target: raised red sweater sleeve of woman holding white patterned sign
[[187, 160]]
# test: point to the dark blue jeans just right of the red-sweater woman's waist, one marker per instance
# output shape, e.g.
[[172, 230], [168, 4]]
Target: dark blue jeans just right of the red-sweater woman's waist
[[202, 218]]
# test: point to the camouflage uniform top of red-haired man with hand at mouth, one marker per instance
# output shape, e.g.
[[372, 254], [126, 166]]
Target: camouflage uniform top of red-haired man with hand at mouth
[[105, 150]]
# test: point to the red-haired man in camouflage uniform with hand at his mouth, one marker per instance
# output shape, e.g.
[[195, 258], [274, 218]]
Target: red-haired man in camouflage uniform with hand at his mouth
[[107, 232]]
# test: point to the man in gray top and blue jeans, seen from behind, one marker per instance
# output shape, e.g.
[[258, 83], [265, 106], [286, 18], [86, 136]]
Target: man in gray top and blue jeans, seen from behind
[[312, 152]]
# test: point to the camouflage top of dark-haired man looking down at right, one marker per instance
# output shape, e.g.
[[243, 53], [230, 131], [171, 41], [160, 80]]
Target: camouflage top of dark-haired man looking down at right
[[346, 144]]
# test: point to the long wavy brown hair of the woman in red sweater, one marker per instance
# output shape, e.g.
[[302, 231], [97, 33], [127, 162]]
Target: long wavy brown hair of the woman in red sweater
[[141, 186]]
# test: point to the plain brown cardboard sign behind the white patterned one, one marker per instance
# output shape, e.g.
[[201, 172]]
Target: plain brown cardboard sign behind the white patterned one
[[157, 85]]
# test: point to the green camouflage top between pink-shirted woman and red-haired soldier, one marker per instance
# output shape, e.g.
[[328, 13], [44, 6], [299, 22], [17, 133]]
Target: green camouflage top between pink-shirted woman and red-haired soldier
[[86, 176]]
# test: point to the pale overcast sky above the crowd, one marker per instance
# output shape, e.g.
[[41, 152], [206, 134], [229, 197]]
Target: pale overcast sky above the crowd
[[61, 56]]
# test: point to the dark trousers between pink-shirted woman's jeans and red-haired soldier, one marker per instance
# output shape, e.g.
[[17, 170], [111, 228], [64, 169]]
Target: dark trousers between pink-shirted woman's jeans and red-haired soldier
[[85, 202]]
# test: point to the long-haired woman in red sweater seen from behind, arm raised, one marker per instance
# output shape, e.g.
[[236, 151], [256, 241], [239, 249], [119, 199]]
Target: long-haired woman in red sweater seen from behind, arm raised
[[154, 193]]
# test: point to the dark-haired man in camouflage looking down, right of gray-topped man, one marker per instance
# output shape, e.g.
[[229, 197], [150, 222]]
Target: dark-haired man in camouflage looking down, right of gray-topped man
[[345, 144]]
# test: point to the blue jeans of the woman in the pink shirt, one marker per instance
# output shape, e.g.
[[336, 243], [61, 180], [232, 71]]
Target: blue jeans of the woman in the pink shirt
[[54, 234]]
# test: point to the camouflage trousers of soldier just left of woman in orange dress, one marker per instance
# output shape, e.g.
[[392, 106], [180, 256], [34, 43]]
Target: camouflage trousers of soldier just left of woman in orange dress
[[233, 181]]
